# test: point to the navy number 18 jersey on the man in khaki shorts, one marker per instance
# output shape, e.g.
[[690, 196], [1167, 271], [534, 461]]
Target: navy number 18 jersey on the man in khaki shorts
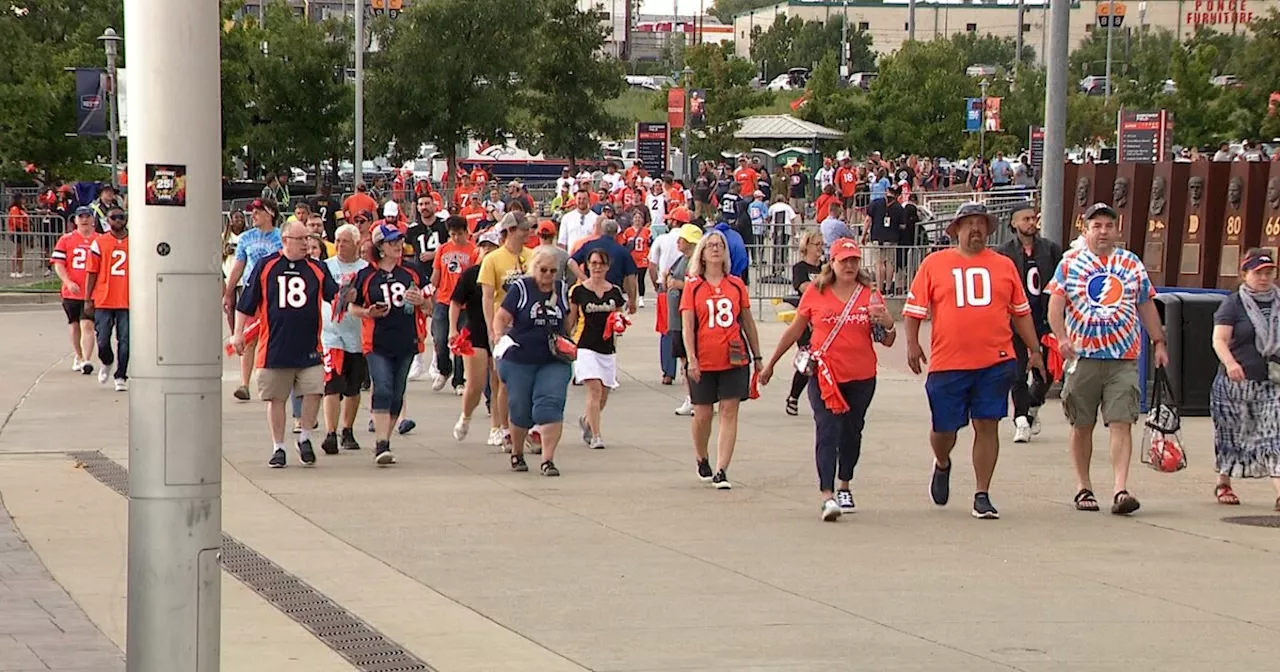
[[287, 296]]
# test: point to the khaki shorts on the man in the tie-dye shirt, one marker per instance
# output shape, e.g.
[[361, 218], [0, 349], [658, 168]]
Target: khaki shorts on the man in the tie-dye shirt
[[1108, 385]]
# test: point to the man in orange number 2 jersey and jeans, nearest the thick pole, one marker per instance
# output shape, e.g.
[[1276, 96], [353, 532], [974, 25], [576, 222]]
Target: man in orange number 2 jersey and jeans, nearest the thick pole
[[107, 291]]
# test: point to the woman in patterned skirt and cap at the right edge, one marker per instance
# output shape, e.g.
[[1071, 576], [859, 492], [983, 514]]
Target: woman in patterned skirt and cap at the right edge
[[1246, 396]]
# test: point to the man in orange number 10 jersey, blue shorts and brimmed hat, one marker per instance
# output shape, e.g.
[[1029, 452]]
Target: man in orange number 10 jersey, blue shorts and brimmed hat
[[971, 292]]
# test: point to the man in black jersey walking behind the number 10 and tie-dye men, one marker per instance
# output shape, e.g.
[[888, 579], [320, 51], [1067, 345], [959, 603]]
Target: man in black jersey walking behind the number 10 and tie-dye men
[[1037, 260]]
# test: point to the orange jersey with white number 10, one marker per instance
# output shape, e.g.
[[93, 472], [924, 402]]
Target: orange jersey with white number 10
[[971, 300]]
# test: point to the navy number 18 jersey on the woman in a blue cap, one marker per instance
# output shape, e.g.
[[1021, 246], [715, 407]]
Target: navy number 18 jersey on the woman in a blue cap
[[397, 332]]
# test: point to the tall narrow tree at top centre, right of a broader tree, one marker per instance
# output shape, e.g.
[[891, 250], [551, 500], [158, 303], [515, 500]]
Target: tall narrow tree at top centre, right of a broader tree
[[566, 84]]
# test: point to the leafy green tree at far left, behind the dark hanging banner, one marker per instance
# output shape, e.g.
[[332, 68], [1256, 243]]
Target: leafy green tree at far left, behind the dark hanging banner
[[38, 98]]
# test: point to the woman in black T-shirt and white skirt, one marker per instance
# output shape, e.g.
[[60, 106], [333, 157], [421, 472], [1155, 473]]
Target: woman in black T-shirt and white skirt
[[596, 303]]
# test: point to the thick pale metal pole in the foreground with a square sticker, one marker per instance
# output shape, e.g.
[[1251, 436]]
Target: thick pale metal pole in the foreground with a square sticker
[[176, 431]]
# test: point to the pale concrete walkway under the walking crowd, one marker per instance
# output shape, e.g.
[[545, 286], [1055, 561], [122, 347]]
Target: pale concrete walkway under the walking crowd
[[629, 564]]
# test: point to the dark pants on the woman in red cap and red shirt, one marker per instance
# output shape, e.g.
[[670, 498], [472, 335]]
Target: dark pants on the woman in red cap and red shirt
[[840, 437]]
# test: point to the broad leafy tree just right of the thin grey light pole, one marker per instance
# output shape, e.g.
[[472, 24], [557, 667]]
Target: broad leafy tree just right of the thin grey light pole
[[449, 71]]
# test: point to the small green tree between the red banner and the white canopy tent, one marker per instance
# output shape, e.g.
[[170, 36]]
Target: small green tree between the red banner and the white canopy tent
[[729, 94]]
